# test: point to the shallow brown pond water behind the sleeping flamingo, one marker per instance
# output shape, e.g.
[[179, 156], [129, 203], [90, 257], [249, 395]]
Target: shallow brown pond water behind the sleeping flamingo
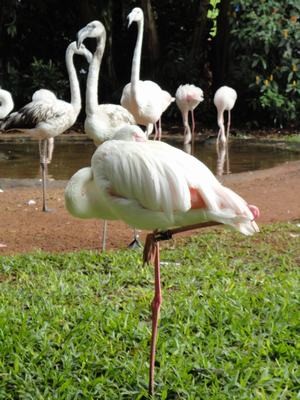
[[21, 160]]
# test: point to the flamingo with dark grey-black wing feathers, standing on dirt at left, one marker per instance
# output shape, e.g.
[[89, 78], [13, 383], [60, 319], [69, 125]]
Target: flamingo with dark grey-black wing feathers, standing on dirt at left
[[46, 116]]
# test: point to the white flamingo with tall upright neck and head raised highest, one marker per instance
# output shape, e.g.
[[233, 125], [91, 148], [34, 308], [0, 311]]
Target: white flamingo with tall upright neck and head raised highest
[[144, 99]]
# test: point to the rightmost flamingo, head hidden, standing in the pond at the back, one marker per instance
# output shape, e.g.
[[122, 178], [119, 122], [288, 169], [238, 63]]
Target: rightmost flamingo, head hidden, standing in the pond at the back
[[224, 100]]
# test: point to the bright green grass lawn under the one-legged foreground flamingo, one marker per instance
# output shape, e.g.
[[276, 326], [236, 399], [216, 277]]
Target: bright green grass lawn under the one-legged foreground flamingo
[[77, 326]]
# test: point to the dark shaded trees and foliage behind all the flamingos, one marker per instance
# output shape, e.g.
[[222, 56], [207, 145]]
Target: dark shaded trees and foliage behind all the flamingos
[[255, 49]]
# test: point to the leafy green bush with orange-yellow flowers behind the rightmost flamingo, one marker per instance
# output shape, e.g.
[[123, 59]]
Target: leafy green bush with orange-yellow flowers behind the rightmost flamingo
[[266, 53]]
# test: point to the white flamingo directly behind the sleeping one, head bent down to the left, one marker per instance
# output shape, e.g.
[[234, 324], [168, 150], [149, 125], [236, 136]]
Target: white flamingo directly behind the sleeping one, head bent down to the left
[[103, 121]]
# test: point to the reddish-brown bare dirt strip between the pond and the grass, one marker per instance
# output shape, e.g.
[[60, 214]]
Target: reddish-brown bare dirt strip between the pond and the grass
[[25, 228]]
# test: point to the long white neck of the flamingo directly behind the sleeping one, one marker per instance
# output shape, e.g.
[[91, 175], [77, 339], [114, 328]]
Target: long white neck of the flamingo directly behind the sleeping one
[[93, 76]]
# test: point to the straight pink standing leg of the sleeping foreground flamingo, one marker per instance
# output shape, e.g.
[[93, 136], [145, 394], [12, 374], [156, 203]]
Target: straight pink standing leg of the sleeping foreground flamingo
[[156, 302]]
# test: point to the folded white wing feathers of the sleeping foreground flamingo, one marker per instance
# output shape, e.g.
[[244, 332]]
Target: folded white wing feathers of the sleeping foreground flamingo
[[137, 172]]
